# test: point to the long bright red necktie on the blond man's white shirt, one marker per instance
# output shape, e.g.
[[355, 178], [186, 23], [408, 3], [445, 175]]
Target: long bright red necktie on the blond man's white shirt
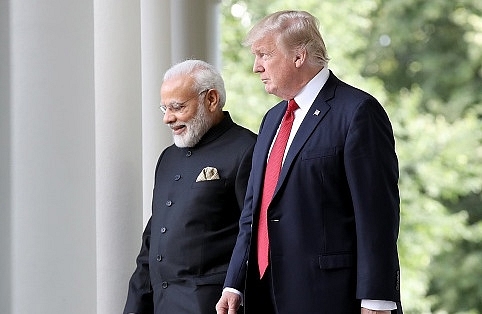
[[271, 175]]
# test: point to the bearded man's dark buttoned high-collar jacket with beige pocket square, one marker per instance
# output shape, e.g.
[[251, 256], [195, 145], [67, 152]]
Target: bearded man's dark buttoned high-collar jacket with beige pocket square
[[190, 236]]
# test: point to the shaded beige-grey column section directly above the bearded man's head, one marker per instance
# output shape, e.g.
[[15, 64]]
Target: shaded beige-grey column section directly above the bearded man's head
[[195, 30]]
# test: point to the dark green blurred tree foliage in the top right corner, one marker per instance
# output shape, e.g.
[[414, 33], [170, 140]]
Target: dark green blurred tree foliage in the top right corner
[[433, 45]]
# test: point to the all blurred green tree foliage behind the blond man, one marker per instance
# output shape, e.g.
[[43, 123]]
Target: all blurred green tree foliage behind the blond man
[[423, 61]]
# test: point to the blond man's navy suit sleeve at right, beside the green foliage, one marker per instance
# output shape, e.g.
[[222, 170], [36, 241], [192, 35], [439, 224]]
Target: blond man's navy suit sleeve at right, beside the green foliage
[[372, 173]]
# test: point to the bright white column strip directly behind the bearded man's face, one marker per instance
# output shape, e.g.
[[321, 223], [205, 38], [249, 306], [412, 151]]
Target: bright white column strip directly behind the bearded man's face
[[156, 59]]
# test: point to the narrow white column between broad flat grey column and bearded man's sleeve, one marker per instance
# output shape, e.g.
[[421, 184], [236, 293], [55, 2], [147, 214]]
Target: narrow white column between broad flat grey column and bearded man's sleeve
[[118, 119]]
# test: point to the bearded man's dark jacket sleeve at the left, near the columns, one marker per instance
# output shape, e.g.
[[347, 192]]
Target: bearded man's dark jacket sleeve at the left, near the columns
[[139, 296]]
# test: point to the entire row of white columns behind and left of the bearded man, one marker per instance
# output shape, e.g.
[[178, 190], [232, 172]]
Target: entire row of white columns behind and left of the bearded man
[[80, 132]]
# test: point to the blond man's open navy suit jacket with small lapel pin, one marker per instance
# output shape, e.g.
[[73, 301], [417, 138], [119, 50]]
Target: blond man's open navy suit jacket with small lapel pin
[[334, 219]]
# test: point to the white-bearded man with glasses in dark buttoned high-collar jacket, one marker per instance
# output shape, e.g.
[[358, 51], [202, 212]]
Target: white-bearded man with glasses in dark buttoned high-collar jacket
[[200, 185]]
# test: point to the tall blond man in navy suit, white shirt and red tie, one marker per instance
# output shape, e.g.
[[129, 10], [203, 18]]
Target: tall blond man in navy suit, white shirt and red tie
[[333, 216]]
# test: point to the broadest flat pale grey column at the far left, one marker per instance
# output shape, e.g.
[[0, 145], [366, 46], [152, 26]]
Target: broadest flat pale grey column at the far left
[[52, 157]]
